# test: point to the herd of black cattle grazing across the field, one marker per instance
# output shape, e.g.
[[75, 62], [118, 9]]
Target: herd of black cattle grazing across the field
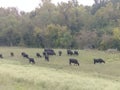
[[48, 52]]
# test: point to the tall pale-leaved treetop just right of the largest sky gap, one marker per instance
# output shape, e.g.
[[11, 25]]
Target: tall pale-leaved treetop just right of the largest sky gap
[[45, 14]]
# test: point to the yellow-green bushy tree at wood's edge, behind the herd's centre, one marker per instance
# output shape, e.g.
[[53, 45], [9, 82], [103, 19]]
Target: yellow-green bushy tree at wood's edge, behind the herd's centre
[[58, 36]]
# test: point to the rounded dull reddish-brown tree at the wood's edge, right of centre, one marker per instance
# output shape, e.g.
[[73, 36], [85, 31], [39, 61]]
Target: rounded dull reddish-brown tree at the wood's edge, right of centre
[[86, 39]]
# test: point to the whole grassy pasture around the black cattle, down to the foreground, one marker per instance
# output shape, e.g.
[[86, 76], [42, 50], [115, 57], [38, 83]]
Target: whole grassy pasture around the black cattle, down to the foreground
[[17, 74]]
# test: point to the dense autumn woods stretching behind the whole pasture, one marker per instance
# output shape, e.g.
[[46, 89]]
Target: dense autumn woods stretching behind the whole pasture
[[66, 25]]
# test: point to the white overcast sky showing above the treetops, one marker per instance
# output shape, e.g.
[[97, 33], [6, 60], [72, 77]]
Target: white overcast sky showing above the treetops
[[29, 5]]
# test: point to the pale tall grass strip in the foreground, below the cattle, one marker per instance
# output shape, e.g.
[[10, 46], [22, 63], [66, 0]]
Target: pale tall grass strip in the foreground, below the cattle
[[19, 77]]
